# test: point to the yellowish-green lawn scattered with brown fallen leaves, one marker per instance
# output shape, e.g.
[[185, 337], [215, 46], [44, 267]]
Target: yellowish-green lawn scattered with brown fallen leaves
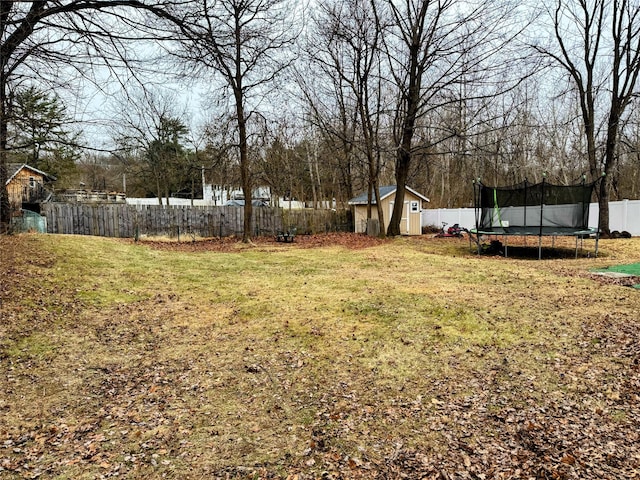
[[335, 357]]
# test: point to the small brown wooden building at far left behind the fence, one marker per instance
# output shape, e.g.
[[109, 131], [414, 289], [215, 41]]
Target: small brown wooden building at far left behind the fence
[[27, 187]]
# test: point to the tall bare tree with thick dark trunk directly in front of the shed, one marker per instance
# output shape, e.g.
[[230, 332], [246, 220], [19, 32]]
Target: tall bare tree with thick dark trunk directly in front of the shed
[[428, 47]]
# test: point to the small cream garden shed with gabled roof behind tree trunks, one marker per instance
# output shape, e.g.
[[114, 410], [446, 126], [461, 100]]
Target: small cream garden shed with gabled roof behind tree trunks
[[411, 222]]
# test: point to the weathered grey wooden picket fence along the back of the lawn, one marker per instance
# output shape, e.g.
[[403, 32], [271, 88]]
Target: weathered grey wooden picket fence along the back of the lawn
[[132, 221]]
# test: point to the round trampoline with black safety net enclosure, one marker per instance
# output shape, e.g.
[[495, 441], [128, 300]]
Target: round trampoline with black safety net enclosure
[[541, 210]]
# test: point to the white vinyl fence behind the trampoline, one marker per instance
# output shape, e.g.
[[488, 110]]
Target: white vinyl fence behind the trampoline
[[623, 216]]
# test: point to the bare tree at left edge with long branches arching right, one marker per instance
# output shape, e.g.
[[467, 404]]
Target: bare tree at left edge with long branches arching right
[[40, 39]]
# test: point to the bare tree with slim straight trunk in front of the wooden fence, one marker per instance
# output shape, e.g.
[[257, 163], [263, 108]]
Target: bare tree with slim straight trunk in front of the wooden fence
[[243, 42]]
